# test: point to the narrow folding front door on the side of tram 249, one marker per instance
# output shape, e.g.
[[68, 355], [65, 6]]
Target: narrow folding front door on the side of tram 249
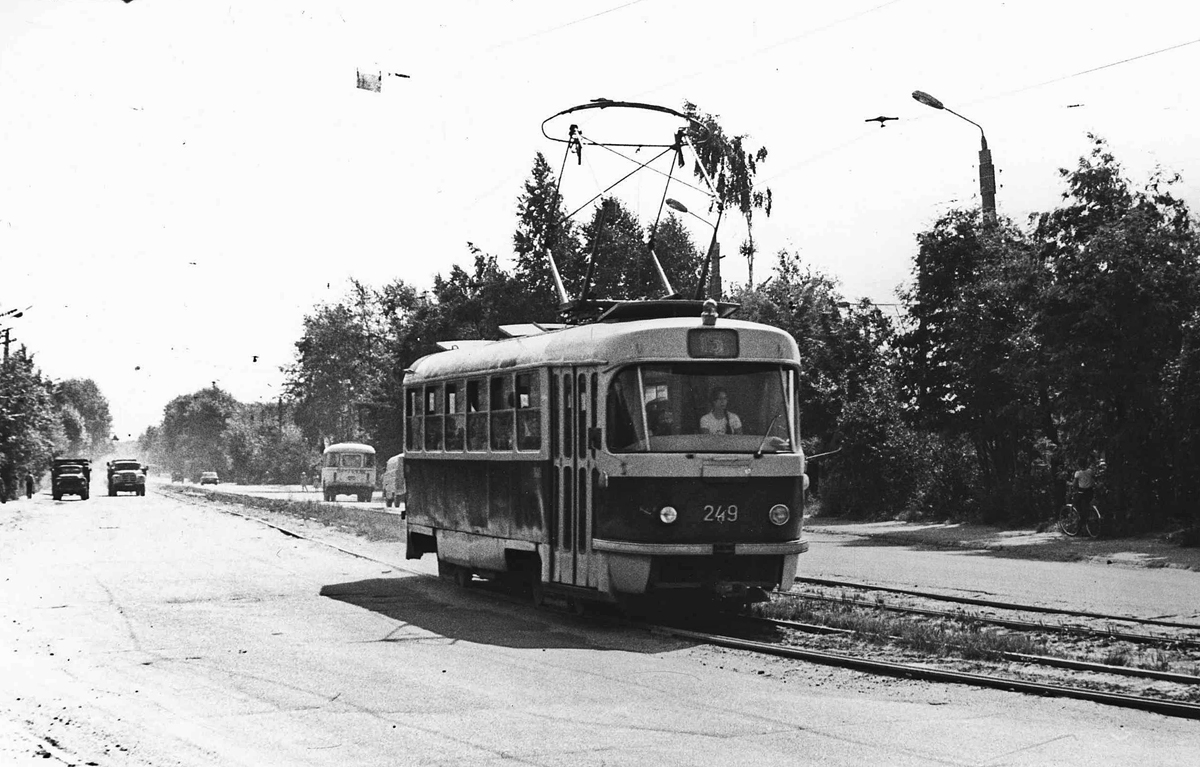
[[574, 421]]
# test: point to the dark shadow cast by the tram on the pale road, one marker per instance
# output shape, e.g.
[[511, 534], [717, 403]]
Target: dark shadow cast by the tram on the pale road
[[428, 608]]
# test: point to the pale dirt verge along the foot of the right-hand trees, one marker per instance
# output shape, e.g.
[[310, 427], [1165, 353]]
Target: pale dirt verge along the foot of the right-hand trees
[[1149, 552]]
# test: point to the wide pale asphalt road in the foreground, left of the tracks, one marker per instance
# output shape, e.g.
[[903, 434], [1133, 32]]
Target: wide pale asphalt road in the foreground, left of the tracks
[[158, 632]]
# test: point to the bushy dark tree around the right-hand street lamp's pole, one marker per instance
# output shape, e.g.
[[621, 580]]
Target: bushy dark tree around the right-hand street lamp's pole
[[969, 362]]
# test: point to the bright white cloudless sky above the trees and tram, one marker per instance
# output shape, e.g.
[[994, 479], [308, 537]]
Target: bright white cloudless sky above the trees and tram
[[182, 182]]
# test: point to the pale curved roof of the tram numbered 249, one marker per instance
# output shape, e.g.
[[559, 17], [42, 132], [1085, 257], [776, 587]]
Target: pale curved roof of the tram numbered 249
[[599, 343]]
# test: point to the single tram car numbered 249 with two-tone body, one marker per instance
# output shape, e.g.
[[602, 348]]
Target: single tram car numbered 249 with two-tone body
[[652, 453]]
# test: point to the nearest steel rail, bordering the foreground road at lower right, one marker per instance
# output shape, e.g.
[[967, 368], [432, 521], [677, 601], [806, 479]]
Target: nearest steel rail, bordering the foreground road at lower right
[[1168, 709]]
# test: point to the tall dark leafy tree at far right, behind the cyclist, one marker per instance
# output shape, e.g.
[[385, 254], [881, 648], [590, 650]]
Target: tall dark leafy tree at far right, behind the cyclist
[[1121, 287]]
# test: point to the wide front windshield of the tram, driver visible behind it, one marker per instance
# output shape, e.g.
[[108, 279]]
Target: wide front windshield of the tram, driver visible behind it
[[701, 408]]
